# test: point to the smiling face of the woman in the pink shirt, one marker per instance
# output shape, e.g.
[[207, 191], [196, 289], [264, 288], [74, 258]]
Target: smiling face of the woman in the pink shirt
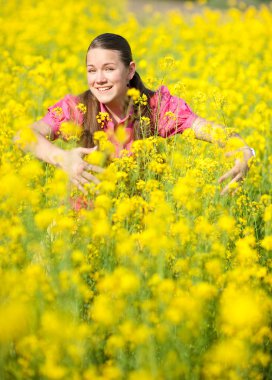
[[108, 76]]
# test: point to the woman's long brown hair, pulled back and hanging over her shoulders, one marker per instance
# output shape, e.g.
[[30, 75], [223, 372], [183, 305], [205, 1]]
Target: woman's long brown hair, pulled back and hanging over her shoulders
[[112, 41]]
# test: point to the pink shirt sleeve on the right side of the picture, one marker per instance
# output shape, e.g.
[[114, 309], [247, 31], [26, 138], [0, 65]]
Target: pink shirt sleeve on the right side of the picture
[[171, 114]]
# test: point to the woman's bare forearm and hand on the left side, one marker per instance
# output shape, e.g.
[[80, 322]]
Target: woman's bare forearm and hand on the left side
[[70, 161]]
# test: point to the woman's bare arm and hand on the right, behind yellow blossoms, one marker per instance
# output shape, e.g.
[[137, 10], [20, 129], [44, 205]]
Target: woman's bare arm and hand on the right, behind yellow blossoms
[[216, 133]]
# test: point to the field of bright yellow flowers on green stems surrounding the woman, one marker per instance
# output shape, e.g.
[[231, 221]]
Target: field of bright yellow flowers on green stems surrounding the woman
[[159, 276]]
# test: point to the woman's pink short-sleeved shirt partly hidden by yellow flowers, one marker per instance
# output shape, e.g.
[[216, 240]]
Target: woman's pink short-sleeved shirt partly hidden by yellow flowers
[[170, 114]]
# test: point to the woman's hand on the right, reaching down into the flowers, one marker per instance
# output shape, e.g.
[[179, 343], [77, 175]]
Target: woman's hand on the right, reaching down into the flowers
[[239, 170]]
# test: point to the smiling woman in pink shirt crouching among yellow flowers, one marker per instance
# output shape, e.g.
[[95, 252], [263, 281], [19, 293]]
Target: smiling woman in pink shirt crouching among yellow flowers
[[110, 72]]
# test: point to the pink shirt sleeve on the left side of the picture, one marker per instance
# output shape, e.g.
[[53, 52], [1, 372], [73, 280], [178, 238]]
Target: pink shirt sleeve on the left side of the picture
[[64, 110]]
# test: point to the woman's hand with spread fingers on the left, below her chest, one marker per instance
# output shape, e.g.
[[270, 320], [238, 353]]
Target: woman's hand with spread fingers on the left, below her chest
[[77, 169]]
